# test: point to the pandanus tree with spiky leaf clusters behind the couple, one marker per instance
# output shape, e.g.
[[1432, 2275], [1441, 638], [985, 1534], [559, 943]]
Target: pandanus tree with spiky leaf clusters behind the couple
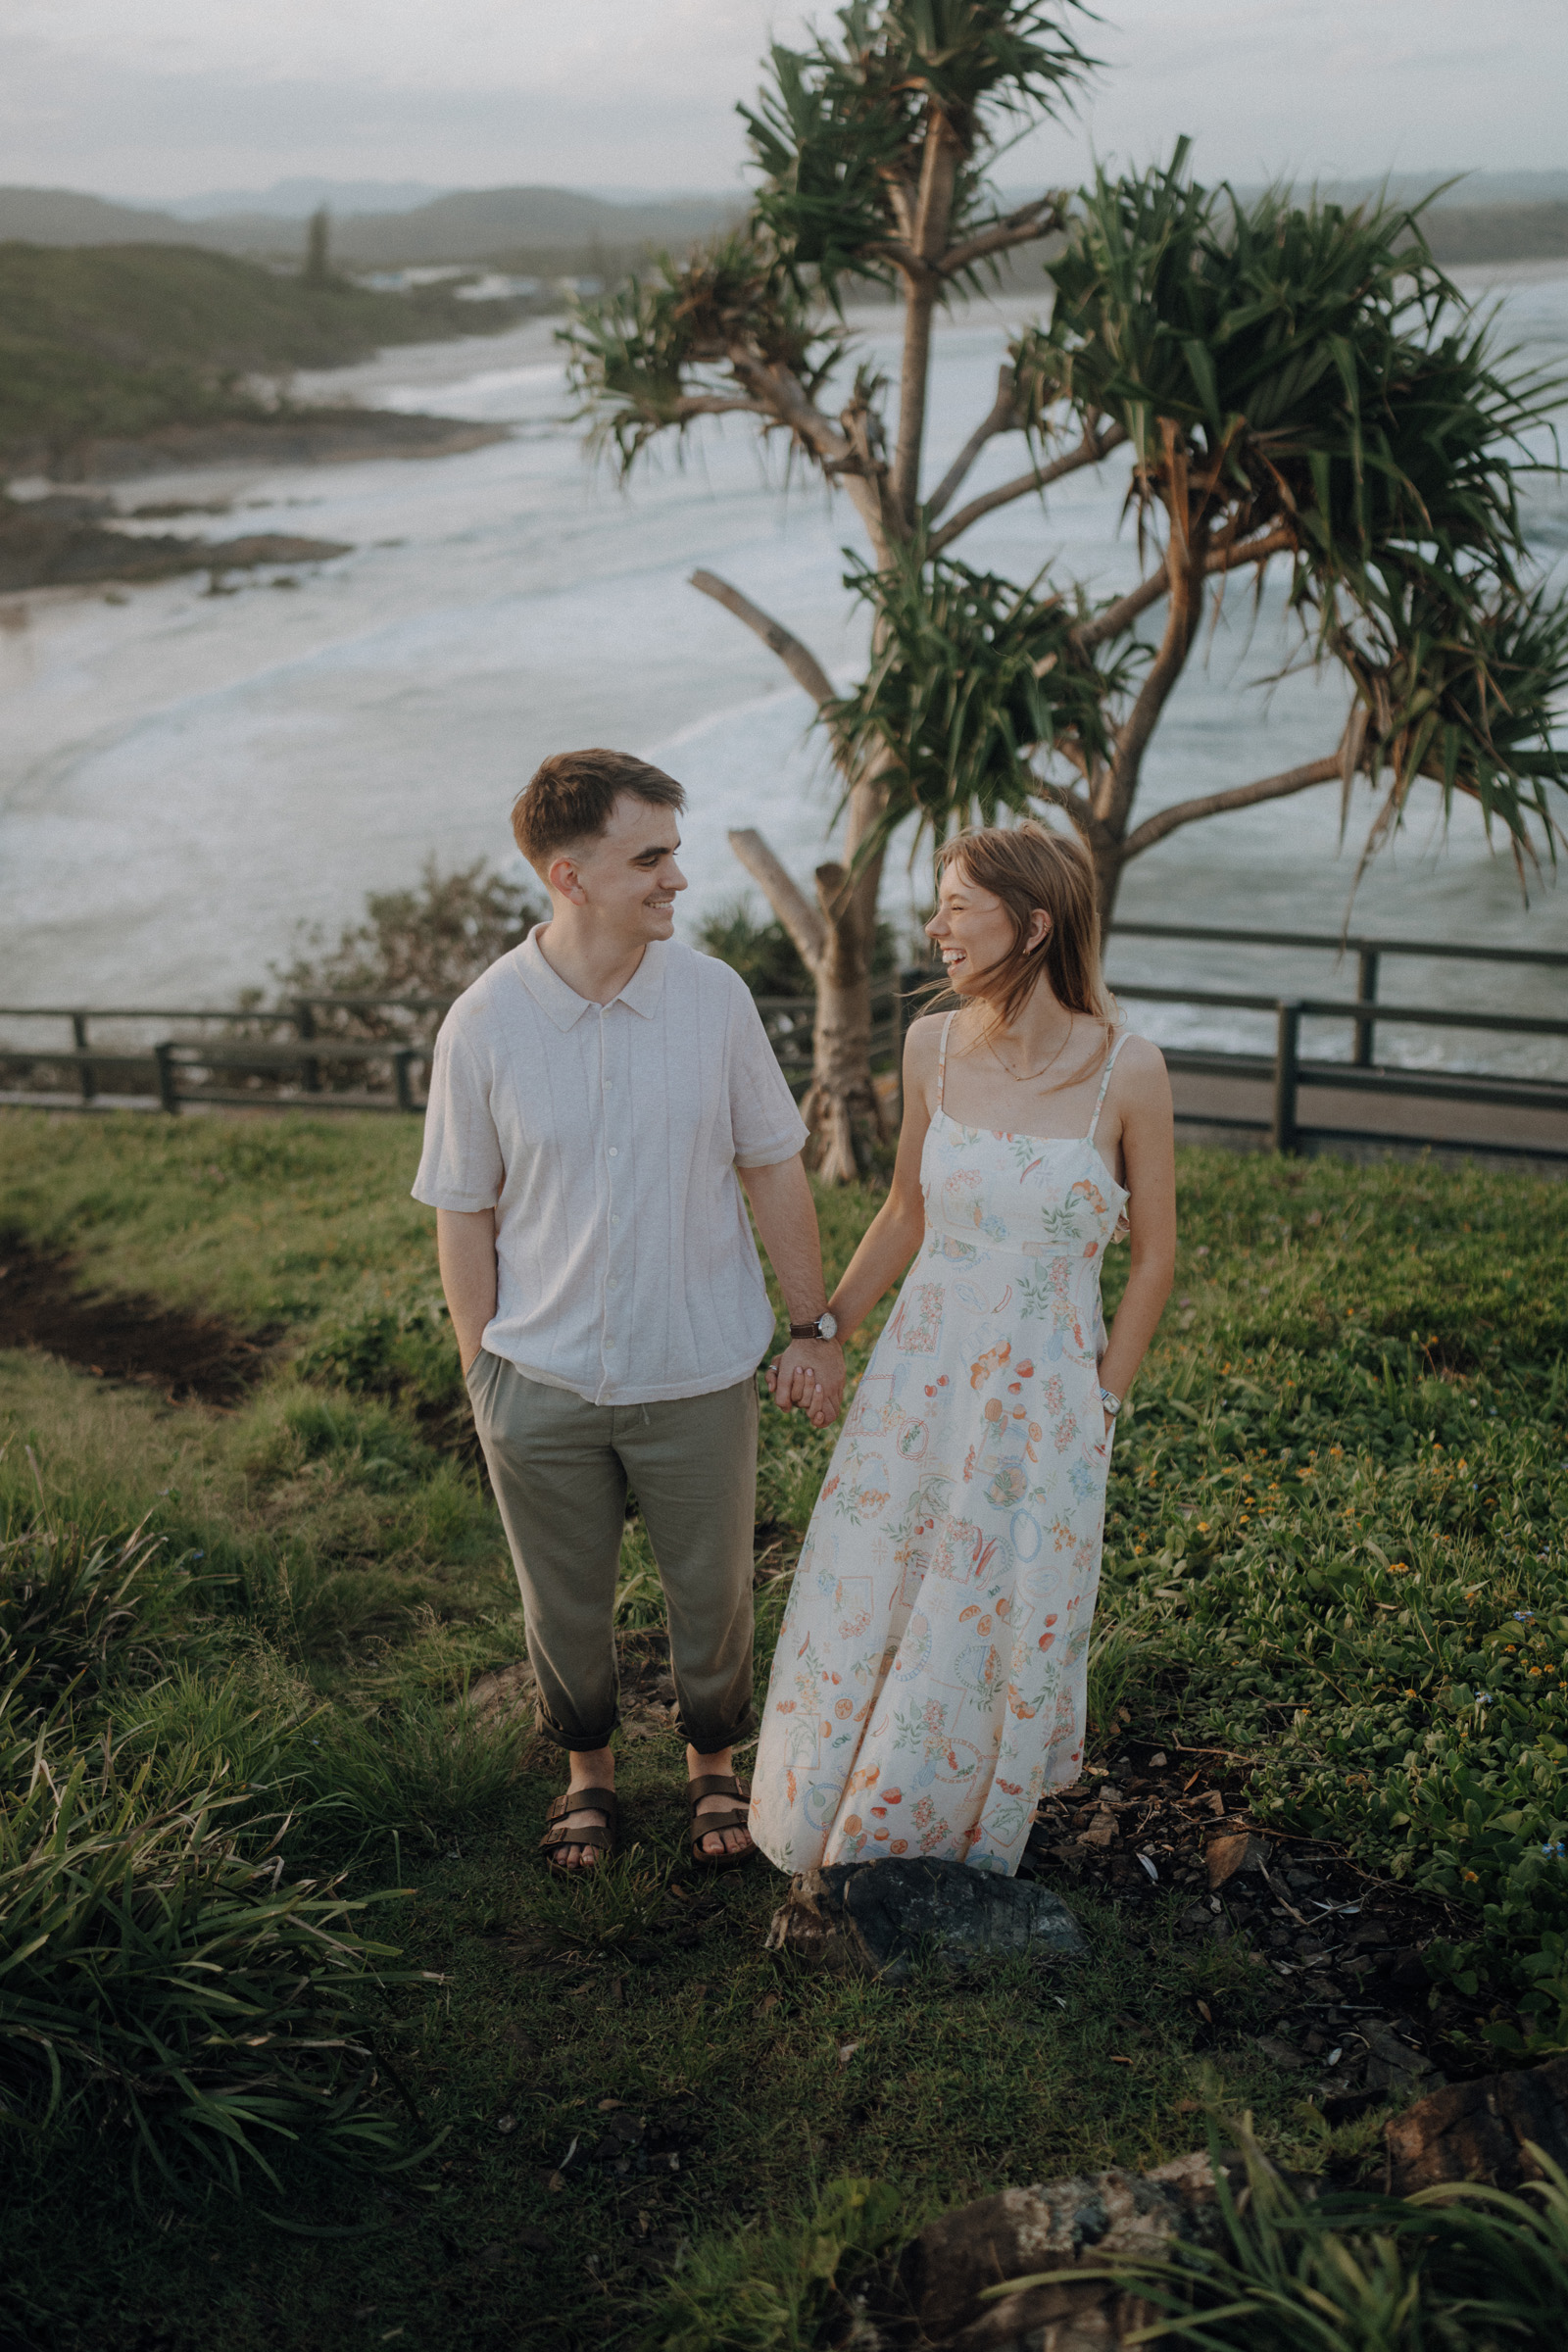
[[1292, 387]]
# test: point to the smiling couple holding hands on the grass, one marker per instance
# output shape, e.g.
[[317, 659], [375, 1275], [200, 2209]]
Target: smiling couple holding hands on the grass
[[603, 1109]]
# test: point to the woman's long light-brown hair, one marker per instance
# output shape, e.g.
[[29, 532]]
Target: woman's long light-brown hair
[[1028, 869]]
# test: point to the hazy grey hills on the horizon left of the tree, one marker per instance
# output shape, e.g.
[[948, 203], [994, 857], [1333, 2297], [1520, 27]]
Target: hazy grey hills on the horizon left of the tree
[[547, 227]]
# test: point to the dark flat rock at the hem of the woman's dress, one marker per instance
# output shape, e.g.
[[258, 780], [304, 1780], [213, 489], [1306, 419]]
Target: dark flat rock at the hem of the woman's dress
[[878, 1918]]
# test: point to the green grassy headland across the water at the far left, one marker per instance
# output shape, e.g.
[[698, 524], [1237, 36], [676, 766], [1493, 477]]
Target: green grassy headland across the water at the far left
[[121, 340]]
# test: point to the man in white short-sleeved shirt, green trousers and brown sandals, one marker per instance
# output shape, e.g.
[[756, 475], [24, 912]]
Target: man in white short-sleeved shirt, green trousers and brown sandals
[[601, 1097]]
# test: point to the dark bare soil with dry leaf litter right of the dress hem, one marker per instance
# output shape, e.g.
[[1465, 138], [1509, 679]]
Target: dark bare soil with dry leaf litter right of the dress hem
[[1348, 1986]]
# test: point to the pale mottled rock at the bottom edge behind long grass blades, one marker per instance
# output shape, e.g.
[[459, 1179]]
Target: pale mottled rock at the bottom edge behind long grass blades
[[1087, 2221]]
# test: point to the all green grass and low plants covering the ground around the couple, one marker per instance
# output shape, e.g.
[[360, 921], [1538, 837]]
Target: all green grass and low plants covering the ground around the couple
[[260, 1645]]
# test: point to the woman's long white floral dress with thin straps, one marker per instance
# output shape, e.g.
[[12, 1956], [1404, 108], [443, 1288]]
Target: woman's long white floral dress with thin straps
[[932, 1666]]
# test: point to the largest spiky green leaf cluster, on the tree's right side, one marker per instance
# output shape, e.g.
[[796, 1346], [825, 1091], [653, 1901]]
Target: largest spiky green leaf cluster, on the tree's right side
[[1311, 359]]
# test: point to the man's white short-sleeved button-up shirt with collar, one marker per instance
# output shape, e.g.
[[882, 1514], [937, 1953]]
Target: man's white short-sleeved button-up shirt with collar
[[608, 1140]]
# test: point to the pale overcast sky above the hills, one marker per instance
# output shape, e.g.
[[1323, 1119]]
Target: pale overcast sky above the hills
[[170, 98]]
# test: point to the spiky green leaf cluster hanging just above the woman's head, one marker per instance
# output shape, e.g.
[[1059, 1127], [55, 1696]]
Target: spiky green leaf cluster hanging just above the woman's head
[[972, 679]]
